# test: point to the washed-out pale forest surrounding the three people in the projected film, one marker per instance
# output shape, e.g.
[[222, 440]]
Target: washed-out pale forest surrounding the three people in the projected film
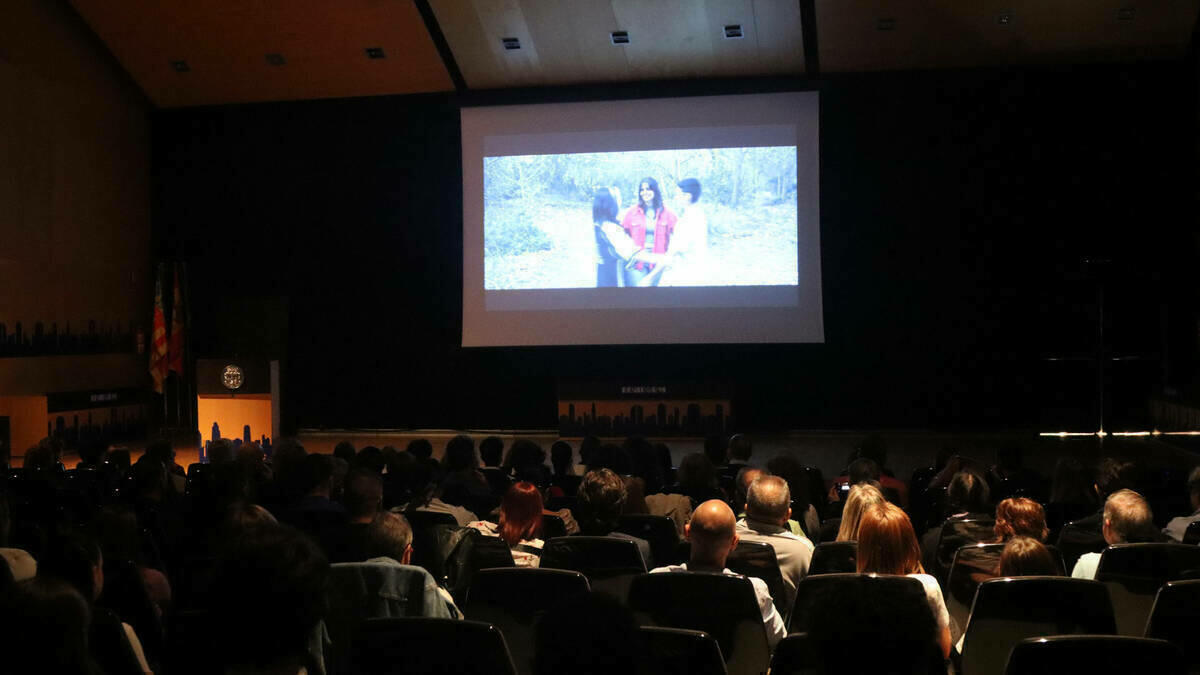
[[538, 213]]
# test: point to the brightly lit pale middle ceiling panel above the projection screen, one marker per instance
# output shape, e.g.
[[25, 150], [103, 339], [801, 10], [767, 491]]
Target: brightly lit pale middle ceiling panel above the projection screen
[[568, 41]]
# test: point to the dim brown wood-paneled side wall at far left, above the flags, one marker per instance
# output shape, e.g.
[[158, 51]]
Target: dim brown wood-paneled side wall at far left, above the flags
[[75, 193]]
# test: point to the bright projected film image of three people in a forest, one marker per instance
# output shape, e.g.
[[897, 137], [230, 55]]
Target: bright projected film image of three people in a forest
[[641, 219]]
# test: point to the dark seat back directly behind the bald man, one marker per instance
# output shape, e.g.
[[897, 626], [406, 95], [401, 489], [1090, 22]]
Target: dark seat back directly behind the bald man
[[724, 607]]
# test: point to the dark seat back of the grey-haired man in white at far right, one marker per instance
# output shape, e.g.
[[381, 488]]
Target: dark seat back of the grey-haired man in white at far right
[[1135, 574]]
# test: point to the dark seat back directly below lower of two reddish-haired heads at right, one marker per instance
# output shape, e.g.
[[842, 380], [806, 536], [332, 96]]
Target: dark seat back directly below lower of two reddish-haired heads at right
[[1010, 610]]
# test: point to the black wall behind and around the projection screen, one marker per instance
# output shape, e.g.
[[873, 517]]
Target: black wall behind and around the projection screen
[[969, 224]]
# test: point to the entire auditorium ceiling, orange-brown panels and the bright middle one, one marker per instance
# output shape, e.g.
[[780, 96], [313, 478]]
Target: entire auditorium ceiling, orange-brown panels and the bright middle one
[[245, 51]]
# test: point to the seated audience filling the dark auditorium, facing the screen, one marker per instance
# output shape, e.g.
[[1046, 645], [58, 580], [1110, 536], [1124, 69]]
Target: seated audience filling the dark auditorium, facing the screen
[[263, 584]]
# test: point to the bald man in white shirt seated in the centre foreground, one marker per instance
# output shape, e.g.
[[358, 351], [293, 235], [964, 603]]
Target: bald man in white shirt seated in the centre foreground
[[712, 533]]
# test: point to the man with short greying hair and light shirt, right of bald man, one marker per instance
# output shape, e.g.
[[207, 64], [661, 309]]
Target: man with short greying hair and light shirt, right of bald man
[[767, 512]]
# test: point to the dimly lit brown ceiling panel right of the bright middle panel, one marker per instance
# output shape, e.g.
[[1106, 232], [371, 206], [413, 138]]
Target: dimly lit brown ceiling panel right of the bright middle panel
[[931, 34]]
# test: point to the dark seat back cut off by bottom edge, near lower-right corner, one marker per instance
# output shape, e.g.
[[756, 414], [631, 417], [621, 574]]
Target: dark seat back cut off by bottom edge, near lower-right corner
[[1094, 654]]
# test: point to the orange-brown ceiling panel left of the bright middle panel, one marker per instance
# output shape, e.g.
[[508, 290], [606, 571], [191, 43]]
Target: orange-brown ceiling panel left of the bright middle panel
[[225, 44]]
